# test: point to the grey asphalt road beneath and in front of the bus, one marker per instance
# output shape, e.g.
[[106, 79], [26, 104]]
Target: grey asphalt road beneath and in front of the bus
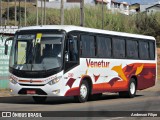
[[146, 100]]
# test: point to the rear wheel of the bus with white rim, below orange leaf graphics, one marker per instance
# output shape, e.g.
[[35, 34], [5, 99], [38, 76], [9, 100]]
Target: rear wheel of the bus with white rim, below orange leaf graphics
[[131, 90]]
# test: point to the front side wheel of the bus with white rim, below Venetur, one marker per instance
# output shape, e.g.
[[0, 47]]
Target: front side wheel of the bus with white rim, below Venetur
[[84, 92]]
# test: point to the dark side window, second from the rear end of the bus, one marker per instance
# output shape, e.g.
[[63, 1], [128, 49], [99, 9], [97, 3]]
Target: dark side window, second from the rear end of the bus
[[143, 50]]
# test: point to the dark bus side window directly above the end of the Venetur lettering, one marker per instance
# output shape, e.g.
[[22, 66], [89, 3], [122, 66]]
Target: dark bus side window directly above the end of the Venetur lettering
[[103, 47]]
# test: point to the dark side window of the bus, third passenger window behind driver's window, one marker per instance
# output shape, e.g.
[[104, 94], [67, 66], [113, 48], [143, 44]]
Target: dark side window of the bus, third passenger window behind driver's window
[[118, 48]]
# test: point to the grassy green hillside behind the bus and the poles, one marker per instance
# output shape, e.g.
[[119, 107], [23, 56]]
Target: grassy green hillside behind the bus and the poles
[[139, 23]]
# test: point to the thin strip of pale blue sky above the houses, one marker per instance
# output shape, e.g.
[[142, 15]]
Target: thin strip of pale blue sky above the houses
[[138, 1]]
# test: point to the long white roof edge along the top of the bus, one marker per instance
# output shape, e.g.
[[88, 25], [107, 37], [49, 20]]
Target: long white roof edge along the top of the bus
[[69, 28]]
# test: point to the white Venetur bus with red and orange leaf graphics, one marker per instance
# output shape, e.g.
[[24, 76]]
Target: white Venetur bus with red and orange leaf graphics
[[64, 60]]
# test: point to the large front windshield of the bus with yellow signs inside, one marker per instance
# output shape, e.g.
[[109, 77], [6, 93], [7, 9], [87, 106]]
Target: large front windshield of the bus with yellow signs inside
[[37, 52]]
